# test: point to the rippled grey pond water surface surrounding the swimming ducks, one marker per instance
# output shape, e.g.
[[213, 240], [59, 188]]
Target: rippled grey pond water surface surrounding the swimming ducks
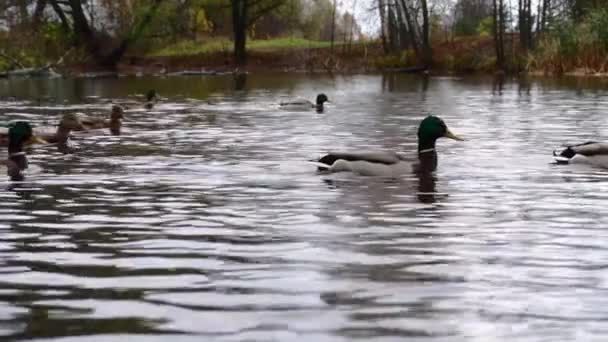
[[205, 221]]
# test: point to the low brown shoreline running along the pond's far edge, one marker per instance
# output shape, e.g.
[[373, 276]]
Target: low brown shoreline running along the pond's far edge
[[192, 66]]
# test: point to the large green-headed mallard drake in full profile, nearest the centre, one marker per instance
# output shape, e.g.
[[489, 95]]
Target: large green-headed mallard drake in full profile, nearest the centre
[[392, 164]]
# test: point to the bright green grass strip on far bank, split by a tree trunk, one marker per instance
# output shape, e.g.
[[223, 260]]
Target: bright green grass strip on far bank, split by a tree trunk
[[189, 48]]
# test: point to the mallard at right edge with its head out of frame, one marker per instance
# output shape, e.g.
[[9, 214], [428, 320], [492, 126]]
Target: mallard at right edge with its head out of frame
[[593, 153]]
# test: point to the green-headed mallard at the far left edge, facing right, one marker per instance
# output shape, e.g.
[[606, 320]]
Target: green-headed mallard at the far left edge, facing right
[[20, 133]]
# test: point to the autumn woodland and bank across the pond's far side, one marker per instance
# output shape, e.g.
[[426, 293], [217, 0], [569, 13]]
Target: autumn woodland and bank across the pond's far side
[[549, 36]]
